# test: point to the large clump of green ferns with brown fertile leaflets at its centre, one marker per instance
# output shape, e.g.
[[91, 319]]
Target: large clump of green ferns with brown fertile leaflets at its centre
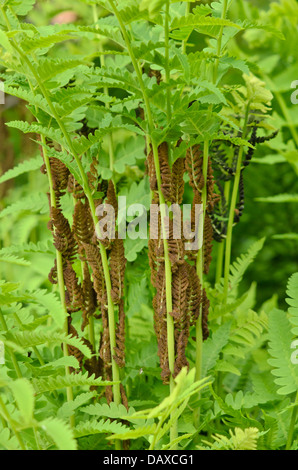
[[129, 341]]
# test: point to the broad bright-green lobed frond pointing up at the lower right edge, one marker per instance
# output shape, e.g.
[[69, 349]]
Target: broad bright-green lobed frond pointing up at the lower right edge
[[280, 339]]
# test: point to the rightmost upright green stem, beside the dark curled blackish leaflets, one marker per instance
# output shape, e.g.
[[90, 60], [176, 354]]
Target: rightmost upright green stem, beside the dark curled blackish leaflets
[[232, 210]]
